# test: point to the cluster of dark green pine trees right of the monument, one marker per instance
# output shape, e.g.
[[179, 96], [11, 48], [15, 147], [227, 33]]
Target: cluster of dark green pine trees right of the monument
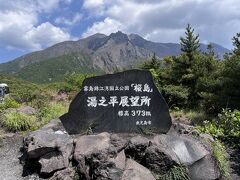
[[197, 80]]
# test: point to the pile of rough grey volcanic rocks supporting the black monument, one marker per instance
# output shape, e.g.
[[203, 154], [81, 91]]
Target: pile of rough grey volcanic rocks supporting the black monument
[[56, 155]]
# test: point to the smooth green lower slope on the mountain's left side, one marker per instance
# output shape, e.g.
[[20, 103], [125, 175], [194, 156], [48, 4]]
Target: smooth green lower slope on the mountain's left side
[[54, 70]]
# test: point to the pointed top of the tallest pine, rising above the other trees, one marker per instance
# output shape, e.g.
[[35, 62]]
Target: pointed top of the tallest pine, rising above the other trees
[[190, 43]]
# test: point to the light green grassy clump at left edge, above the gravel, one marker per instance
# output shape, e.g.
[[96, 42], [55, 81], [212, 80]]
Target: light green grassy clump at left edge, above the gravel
[[15, 121]]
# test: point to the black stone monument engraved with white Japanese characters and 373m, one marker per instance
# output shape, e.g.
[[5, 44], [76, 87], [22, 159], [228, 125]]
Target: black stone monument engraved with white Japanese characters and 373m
[[123, 102]]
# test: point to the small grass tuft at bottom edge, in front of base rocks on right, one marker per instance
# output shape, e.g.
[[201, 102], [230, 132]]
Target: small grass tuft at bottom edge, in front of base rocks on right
[[175, 173]]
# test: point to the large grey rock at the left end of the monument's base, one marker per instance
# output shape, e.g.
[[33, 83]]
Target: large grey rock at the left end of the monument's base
[[48, 148]]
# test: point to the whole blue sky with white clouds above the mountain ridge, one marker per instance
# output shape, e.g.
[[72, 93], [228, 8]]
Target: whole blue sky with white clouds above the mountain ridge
[[32, 25]]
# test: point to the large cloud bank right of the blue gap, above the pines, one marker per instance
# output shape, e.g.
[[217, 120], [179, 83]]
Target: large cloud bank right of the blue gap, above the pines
[[165, 20]]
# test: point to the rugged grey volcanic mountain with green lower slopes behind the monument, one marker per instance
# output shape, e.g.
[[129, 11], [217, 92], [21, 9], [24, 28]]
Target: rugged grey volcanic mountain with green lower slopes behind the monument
[[97, 53]]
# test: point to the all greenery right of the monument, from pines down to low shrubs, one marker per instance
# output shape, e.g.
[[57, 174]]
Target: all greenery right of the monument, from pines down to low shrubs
[[202, 89]]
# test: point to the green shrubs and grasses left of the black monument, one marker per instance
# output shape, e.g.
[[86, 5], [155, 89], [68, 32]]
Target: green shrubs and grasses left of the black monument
[[50, 100]]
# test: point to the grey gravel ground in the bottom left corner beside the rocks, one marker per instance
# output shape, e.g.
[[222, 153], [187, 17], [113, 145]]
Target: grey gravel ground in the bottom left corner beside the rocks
[[10, 167]]
